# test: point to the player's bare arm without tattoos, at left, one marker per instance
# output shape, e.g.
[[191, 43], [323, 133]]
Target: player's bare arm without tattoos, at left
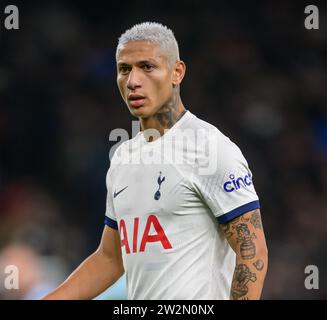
[[95, 274]]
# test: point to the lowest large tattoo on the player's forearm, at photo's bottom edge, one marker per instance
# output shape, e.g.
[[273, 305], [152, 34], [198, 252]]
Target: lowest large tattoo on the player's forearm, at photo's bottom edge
[[241, 278]]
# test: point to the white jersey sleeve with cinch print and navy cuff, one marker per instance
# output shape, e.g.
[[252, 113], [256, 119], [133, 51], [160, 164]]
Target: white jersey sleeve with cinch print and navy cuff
[[228, 188]]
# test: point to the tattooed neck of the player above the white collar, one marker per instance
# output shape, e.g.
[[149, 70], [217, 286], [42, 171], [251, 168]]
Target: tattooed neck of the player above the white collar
[[164, 119]]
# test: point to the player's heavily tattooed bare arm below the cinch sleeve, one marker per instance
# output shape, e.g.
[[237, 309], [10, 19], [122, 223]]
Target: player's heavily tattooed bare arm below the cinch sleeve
[[246, 236]]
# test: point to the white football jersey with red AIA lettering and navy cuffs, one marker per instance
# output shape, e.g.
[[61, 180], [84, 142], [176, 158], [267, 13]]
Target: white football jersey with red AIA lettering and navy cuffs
[[166, 198]]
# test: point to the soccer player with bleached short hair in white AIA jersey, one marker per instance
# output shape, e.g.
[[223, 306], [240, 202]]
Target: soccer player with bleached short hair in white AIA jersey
[[182, 218]]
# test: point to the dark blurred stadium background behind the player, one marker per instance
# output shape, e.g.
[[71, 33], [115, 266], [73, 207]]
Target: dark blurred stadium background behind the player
[[254, 71]]
